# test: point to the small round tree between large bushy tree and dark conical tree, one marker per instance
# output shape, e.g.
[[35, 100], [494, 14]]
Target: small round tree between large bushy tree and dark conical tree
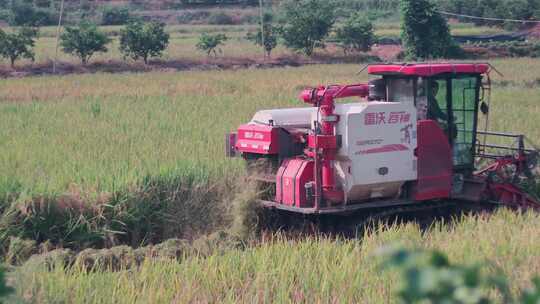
[[356, 34]]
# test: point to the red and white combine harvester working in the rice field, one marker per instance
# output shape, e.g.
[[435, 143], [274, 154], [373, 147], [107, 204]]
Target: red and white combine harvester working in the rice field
[[412, 139]]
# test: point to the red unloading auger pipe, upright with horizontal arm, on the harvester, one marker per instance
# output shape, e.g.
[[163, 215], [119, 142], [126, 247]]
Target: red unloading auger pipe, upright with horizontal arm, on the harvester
[[323, 141]]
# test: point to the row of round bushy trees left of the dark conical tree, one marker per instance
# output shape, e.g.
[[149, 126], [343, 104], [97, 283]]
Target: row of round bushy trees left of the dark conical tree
[[309, 22]]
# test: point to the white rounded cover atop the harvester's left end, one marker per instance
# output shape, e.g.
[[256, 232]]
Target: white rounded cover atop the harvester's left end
[[292, 118]]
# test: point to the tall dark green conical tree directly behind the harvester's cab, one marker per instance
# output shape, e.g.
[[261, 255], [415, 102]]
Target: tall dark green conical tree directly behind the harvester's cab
[[424, 32]]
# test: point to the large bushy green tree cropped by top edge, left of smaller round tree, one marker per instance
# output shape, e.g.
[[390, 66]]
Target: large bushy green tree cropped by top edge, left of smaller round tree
[[307, 24]]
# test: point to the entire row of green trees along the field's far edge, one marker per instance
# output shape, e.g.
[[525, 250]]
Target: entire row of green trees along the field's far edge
[[425, 34]]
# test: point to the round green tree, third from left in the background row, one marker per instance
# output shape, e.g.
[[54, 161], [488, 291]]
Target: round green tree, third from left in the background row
[[143, 40]]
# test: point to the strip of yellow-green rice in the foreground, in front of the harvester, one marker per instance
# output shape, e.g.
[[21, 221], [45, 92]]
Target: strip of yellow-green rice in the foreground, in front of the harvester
[[313, 270]]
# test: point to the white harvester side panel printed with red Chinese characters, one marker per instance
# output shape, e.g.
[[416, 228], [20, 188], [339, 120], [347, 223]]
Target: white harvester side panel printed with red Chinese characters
[[377, 153]]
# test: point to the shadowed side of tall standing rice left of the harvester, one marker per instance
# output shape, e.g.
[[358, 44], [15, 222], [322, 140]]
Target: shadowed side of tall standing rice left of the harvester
[[160, 207]]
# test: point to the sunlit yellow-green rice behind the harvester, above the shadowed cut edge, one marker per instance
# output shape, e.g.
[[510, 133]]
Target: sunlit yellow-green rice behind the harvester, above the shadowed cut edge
[[104, 132]]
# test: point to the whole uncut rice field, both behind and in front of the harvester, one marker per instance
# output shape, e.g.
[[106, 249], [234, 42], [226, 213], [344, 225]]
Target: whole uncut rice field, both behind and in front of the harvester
[[140, 151]]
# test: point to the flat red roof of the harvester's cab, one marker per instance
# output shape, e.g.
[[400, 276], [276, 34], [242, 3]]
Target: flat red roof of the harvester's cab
[[428, 69]]
